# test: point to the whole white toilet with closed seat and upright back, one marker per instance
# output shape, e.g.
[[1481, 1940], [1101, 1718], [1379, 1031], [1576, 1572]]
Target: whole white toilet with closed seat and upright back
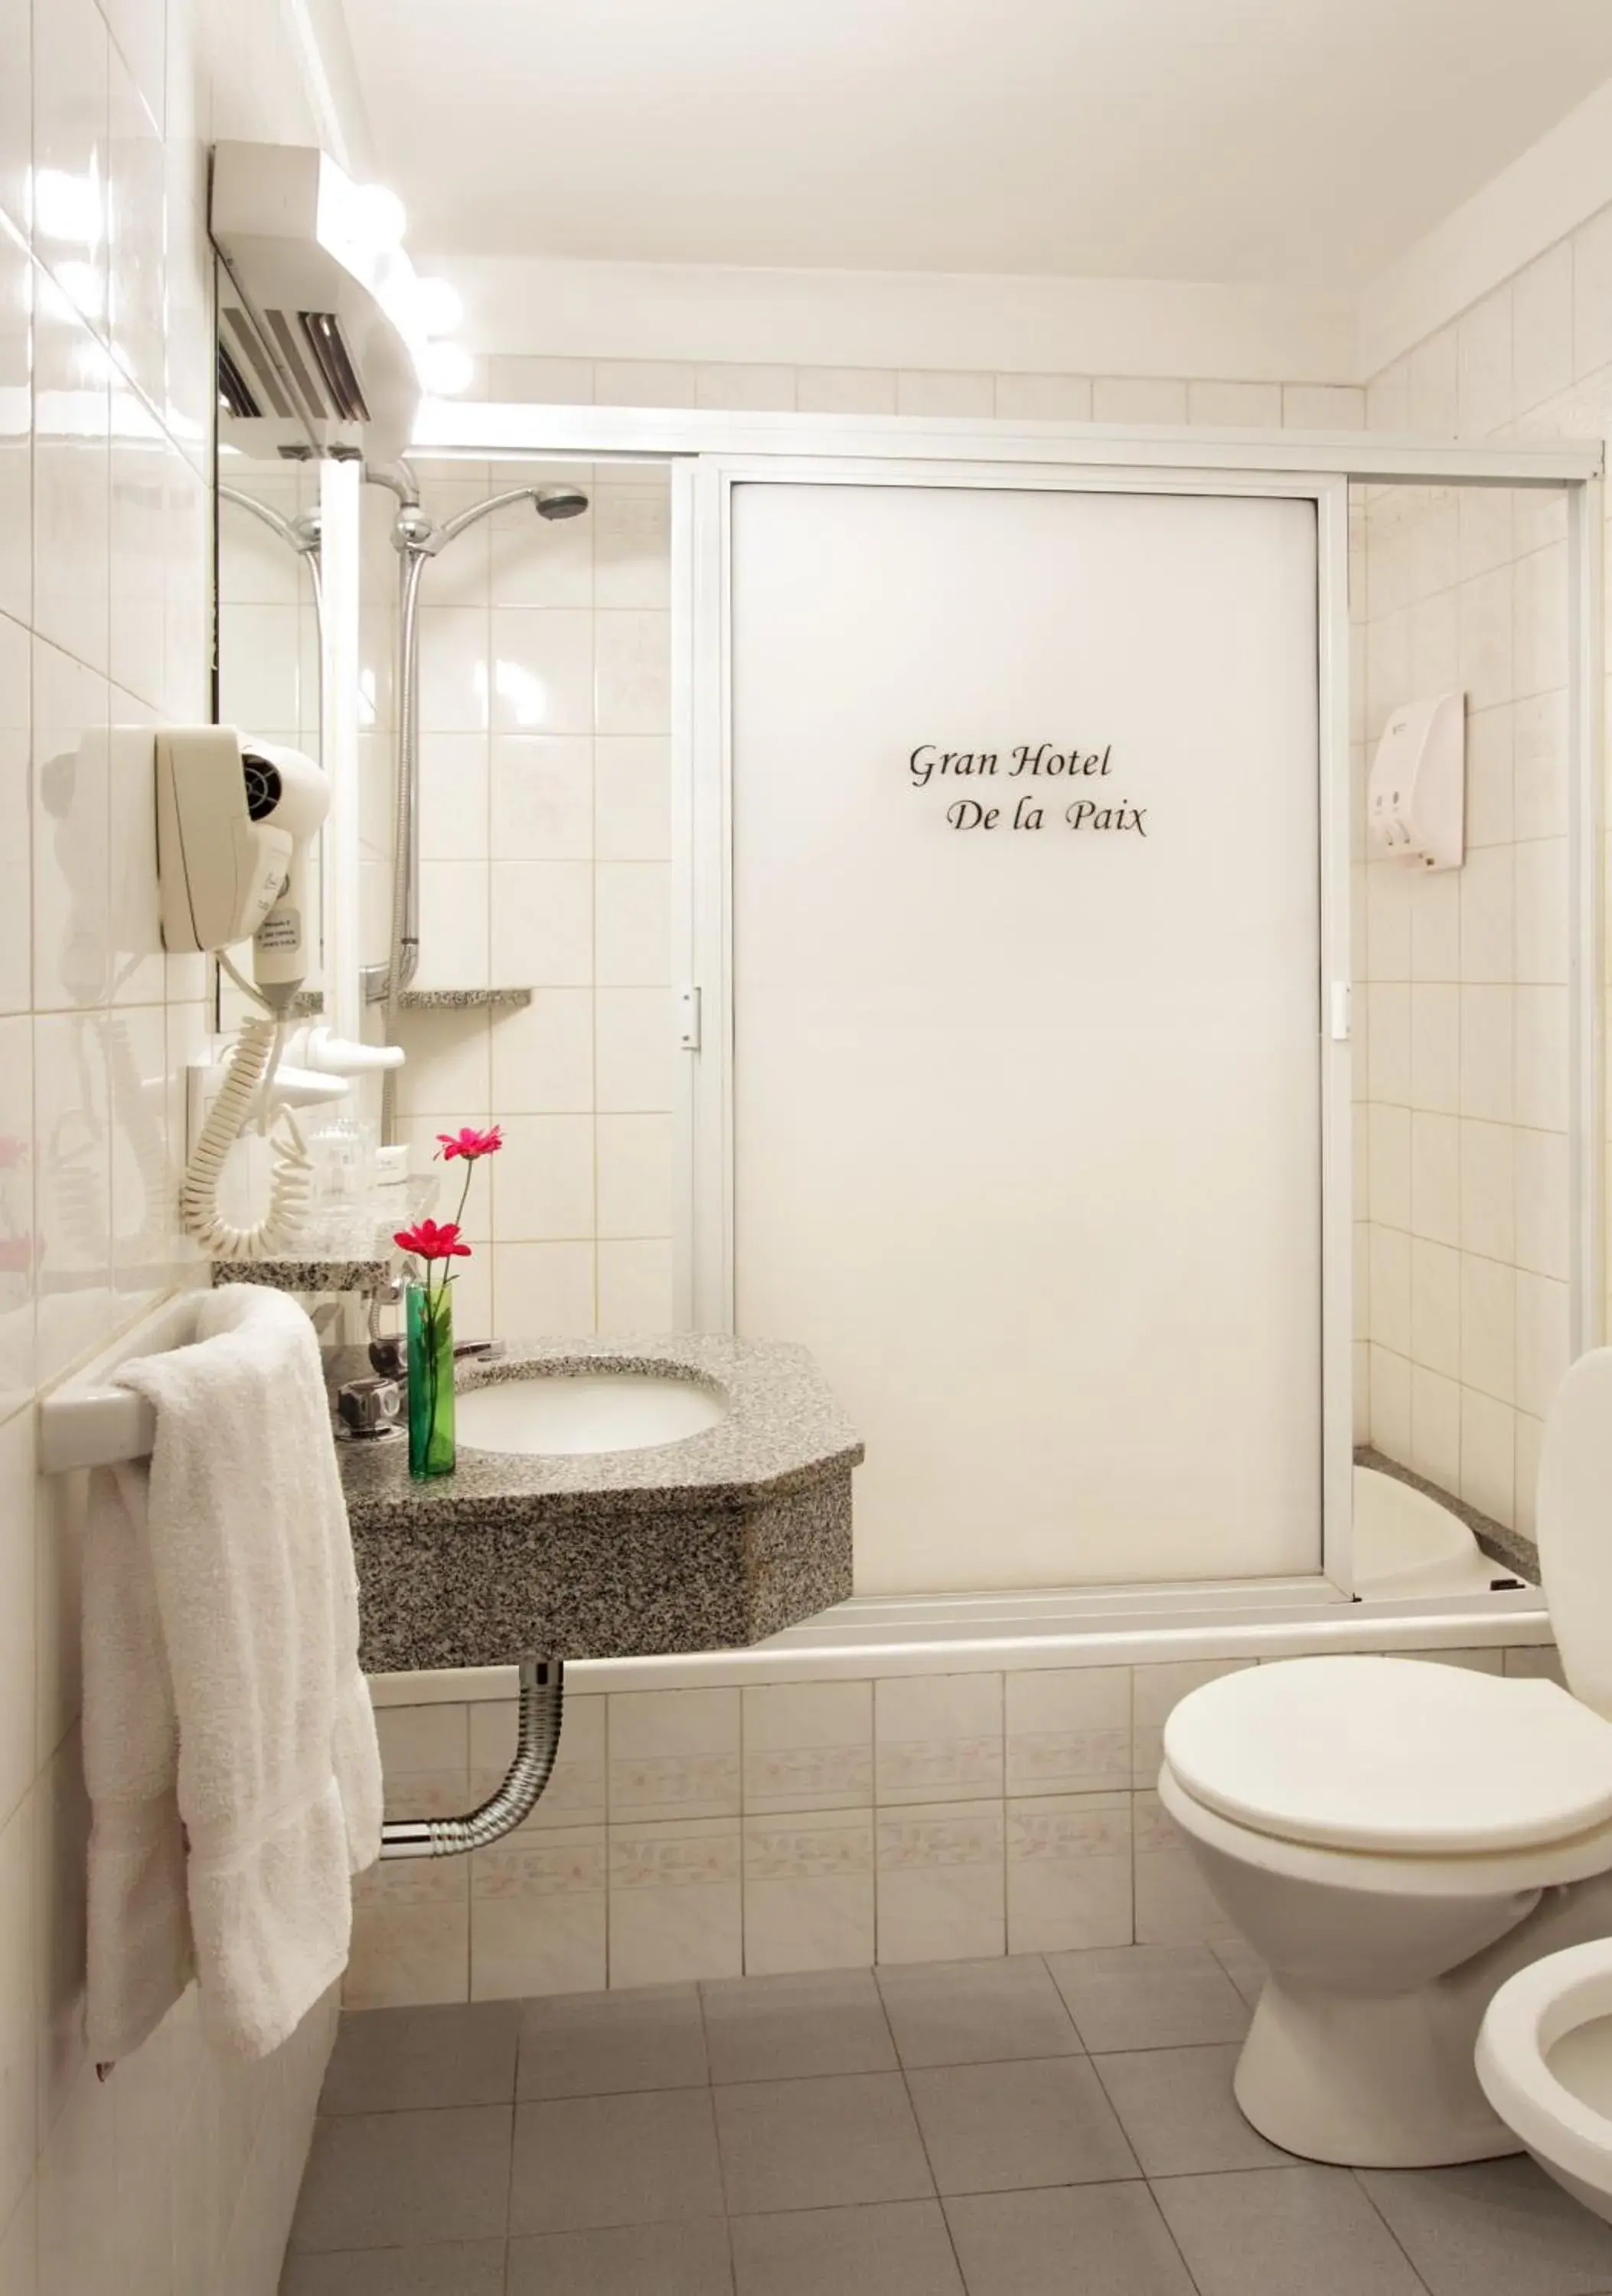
[[1400, 1838]]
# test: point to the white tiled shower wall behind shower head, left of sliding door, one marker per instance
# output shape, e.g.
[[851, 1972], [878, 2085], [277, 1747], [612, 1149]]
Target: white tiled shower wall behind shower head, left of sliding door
[[545, 864]]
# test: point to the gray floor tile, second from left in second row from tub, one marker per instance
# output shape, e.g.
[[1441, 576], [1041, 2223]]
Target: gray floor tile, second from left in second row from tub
[[591, 2162]]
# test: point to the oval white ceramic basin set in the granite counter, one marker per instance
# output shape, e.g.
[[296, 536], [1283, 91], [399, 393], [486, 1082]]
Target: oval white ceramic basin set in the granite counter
[[596, 1411]]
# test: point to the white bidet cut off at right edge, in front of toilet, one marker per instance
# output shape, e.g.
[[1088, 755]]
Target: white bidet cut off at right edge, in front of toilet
[[1544, 2058]]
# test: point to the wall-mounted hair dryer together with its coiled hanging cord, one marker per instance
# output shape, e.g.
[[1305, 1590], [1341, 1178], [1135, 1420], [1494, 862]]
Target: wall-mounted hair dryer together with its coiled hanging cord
[[235, 821]]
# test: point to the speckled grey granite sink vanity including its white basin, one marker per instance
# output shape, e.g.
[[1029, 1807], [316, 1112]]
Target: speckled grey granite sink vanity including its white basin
[[614, 1498]]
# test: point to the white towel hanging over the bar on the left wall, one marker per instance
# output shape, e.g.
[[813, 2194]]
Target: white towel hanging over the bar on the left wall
[[231, 1751]]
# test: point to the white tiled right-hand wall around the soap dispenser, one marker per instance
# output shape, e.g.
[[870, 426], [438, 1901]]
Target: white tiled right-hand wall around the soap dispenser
[[1464, 1154]]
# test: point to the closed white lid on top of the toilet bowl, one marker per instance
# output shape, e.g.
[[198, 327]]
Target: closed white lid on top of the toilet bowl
[[1393, 1755]]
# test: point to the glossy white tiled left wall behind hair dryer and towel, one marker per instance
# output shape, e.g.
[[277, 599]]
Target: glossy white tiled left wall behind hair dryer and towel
[[173, 2178]]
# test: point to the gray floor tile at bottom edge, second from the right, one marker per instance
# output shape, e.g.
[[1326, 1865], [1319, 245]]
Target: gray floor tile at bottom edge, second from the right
[[1285, 2233]]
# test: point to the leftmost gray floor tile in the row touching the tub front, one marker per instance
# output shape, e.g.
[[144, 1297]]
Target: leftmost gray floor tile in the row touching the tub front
[[387, 2061]]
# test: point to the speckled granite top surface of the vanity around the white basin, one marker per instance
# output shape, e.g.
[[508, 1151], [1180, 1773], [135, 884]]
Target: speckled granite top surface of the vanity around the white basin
[[782, 1432]]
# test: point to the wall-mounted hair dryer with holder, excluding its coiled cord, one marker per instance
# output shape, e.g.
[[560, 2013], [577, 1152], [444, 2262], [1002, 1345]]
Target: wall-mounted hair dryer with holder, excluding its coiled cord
[[235, 821]]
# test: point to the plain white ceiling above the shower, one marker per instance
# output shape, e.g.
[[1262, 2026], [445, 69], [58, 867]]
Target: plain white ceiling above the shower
[[1250, 141]]
